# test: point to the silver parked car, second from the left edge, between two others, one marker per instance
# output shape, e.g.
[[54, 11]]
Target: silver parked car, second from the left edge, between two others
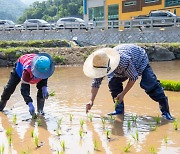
[[34, 24]]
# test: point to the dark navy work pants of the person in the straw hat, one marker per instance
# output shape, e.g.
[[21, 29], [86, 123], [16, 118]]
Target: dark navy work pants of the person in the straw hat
[[148, 82]]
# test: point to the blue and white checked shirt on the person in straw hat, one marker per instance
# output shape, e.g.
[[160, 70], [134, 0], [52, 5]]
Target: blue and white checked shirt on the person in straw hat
[[133, 60]]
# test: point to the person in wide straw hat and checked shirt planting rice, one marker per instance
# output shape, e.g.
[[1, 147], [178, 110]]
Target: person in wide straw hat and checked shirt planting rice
[[126, 61]]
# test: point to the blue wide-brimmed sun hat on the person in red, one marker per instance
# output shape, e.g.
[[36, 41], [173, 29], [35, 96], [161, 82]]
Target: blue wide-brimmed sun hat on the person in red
[[42, 66]]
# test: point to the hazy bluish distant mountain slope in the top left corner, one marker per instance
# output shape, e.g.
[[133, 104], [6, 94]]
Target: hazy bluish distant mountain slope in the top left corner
[[11, 9]]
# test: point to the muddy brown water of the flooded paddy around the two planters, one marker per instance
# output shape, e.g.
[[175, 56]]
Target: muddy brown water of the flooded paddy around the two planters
[[136, 127]]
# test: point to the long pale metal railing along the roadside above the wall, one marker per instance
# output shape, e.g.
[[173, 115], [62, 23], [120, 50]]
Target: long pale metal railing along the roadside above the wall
[[111, 24]]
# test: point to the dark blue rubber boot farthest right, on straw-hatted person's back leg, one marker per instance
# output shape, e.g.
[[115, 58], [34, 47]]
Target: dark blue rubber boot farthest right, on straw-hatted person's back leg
[[164, 107]]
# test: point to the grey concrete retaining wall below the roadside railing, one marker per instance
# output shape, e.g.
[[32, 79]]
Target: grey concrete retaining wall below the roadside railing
[[97, 36]]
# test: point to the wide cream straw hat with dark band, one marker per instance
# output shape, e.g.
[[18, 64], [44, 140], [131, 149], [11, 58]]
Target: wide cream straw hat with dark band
[[101, 63]]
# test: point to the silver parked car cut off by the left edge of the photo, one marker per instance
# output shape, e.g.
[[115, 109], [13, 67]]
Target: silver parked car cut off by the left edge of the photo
[[9, 25]]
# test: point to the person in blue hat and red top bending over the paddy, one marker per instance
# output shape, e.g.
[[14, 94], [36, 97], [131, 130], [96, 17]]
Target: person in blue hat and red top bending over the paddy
[[30, 69]]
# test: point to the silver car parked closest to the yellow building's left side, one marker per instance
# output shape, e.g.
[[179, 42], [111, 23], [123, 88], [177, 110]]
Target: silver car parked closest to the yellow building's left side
[[73, 23]]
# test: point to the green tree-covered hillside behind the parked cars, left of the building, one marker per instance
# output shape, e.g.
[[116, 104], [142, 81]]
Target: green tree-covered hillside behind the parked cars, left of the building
[[52, 10]]
